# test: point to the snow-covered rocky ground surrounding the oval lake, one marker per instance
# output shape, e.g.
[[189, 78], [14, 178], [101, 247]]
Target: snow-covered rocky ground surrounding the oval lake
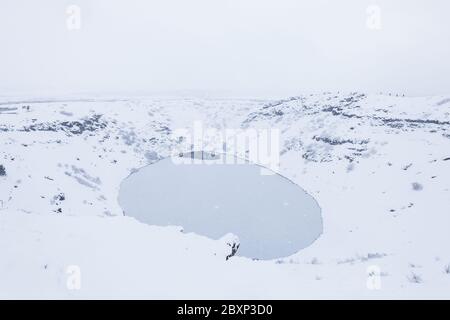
[[379, 167]]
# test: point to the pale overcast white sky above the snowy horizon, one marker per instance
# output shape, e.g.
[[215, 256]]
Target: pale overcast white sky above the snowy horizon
[[224, 47]]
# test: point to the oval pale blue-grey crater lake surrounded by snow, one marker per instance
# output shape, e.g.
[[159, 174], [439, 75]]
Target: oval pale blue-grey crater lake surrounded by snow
[[272, 216]]
